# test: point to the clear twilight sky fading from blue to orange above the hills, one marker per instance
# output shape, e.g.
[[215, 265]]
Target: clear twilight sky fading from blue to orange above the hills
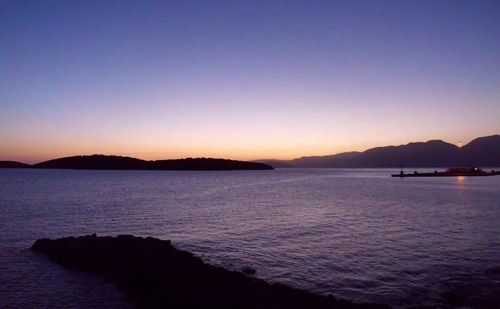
[[244, 79]]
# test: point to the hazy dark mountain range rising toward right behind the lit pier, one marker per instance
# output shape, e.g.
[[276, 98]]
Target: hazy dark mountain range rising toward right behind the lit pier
[[482, 151]]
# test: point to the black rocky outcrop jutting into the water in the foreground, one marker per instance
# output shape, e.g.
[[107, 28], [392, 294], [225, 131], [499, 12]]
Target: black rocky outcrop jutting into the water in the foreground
[[156, 275]]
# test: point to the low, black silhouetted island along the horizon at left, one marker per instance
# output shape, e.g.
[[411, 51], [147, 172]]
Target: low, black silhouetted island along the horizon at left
[[102, 162]]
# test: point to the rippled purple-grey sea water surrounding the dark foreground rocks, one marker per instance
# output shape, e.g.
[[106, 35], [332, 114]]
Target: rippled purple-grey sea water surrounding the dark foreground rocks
[[357, 234]]
